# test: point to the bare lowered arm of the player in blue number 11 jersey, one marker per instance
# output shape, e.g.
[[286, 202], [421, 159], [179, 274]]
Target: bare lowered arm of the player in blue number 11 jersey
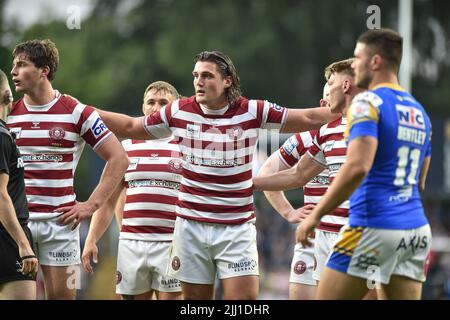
[[360, 155]]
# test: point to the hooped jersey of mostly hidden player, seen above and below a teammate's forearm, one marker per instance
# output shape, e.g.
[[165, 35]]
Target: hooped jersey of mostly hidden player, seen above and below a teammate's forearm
[[291, 152]]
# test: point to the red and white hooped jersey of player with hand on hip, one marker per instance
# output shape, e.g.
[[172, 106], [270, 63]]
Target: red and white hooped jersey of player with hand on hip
[[51, 139]]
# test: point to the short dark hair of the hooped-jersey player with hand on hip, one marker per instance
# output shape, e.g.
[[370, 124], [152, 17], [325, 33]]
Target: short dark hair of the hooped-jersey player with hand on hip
[[41, 52]]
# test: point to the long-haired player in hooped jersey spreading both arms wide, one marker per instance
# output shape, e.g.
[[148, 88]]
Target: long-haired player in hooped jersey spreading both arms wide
[[217, 131]]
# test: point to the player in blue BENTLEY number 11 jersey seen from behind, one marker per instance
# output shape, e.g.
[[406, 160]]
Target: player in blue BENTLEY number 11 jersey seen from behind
[[388, 237]]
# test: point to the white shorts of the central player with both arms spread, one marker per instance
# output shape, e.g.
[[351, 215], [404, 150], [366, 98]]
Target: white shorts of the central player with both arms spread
[[200, 250]]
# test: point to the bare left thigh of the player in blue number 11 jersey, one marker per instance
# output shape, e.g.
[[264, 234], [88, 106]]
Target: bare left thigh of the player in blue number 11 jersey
[[335, 285]]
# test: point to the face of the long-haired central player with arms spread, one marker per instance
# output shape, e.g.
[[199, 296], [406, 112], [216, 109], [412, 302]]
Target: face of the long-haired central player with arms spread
[[209, 84]]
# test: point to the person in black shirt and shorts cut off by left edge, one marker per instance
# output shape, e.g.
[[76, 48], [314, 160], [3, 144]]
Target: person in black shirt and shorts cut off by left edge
[[18, 264]]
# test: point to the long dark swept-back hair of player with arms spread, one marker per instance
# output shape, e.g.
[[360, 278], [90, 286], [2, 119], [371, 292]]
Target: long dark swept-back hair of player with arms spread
[[226, 68]]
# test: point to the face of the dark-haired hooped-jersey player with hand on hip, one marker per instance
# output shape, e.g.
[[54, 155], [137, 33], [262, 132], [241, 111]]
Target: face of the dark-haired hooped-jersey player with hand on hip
[[25, 74]]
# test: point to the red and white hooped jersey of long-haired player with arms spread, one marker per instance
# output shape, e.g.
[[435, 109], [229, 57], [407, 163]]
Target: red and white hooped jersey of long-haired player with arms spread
[[217, 153]]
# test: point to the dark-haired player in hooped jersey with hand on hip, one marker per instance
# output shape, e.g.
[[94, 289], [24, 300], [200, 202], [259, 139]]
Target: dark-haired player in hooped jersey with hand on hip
[[51, 130]]
